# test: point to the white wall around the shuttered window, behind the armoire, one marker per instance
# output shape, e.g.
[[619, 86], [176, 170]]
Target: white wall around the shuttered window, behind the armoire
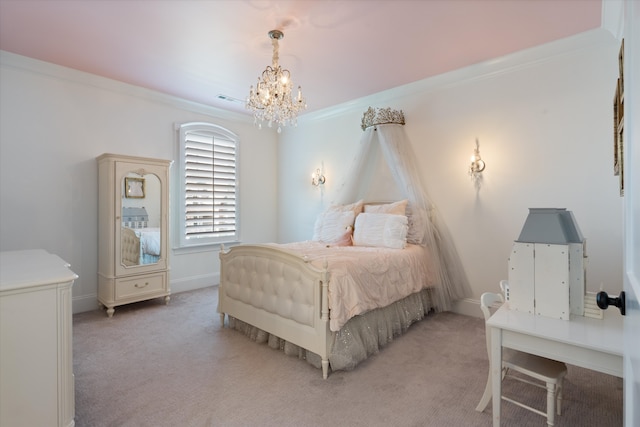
[[55, 121]]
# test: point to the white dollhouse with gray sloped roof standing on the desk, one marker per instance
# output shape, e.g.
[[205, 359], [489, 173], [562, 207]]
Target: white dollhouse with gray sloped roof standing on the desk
[[546, 266]]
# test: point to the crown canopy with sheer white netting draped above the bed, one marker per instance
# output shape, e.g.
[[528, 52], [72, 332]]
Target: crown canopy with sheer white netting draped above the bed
[[384, 127]]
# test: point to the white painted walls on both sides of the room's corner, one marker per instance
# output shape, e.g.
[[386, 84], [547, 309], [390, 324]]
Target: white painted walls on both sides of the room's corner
[[543, 117]]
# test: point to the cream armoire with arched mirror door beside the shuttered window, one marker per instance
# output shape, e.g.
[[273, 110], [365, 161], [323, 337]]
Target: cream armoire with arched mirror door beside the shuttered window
[[133, 210]]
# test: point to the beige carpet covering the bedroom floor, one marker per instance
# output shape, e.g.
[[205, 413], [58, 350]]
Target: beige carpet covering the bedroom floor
[[157, 365]]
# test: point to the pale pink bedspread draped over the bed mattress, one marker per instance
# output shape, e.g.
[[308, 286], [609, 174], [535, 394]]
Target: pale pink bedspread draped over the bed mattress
[[364, 278]]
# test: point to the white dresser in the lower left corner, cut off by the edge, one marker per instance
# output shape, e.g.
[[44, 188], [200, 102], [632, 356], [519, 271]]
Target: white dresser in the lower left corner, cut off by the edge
[[36, 351]]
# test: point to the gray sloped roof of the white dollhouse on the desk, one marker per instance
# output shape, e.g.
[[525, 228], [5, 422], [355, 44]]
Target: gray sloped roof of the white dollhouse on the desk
[[550, 225]]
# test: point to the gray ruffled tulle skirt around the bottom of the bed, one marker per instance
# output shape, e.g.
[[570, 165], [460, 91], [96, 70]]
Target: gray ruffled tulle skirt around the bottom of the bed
[[362, 336]]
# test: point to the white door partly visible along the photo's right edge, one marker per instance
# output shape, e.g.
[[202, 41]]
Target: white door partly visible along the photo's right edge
[[631, 251]]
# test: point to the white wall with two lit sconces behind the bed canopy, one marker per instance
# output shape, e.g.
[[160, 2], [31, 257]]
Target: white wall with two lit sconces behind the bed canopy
[[544, 121]]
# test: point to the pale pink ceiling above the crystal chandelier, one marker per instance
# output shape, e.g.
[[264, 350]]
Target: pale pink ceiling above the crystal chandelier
[[337, 50]]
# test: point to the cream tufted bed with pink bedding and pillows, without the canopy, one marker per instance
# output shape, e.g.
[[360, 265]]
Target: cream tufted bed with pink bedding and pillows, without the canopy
[[331, 301]]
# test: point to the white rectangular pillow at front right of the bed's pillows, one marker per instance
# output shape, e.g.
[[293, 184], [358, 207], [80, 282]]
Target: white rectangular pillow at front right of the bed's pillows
[[381, 230]]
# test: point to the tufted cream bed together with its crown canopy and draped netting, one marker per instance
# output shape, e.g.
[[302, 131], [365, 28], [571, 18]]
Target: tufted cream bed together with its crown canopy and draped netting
[[291, 296]]
